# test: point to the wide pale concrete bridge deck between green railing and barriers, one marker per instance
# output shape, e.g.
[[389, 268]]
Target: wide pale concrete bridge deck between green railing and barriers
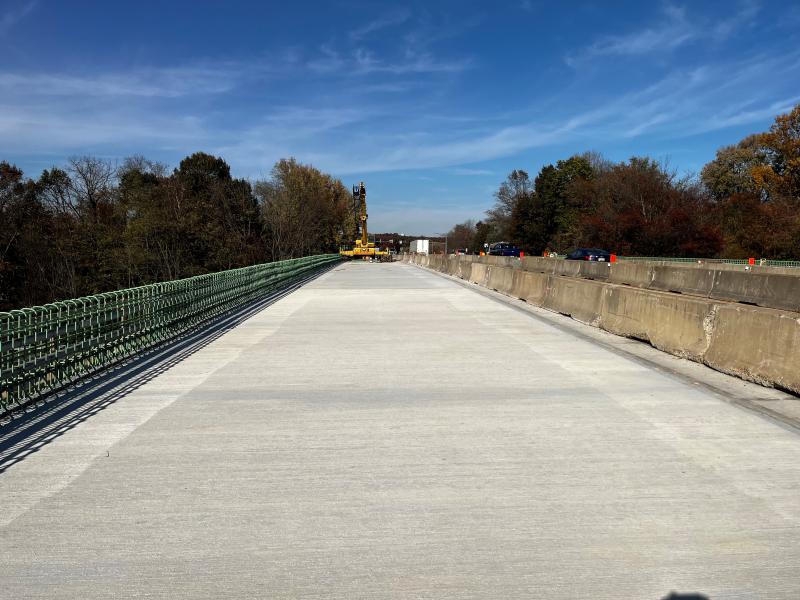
[[384, 432]]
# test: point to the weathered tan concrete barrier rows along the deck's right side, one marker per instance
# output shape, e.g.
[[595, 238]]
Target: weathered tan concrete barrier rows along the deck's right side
[[753, 342]]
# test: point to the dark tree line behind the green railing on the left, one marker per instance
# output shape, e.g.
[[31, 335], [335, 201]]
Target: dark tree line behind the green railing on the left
[[93, 226]]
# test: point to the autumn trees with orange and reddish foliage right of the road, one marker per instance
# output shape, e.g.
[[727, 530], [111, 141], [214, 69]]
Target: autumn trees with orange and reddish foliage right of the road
[[745, 202]]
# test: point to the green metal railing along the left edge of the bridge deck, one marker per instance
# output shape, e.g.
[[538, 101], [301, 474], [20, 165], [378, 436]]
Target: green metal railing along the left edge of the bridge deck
[[46, 348]]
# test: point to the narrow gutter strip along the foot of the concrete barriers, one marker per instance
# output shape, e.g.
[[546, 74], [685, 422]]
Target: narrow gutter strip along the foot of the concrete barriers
[[785, 421]]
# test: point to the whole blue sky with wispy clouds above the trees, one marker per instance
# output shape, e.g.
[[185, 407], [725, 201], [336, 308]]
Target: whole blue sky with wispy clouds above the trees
[[431, 103]]
